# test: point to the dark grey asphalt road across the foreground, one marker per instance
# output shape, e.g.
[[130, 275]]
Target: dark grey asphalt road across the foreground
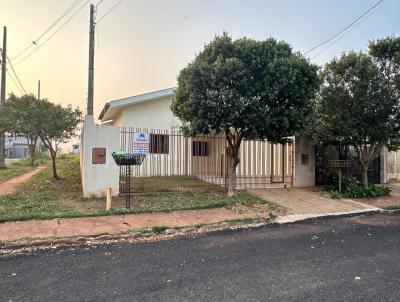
[[346, 259]]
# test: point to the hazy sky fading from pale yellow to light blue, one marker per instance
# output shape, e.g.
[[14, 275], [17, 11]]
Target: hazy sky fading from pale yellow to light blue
[[143, 44]]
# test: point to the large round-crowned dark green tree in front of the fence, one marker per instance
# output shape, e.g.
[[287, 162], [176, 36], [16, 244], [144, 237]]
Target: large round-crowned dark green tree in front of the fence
[[245, 89]]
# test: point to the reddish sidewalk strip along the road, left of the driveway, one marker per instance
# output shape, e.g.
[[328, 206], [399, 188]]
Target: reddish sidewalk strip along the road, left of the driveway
[[86, 226]]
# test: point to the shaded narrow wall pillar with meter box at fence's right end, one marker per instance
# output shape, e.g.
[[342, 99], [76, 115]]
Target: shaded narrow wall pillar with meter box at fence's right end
[[304, 162]]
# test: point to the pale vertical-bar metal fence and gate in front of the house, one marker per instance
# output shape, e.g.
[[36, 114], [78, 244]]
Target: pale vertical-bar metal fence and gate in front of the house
[[176, 163]]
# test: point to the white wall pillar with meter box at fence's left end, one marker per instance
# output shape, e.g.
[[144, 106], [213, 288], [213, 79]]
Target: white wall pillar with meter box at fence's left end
[[96, 178]]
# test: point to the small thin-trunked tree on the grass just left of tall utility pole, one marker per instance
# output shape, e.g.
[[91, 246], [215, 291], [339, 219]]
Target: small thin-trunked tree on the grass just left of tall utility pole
[[56, 125]]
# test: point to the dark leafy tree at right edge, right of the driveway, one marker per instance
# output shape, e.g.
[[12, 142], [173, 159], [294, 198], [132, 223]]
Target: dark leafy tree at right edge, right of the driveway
[[356, 107]]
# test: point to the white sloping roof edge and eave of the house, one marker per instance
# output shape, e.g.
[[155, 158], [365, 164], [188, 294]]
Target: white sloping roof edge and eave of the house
[[112, 108]]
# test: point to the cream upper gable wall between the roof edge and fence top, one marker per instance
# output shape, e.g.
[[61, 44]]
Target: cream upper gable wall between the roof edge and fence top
[[151, 114]]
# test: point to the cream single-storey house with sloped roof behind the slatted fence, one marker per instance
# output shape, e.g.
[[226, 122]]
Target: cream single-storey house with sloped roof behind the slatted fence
[[263, 164]]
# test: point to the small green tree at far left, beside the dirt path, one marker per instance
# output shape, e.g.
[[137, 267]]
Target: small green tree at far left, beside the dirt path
[[17, 119]]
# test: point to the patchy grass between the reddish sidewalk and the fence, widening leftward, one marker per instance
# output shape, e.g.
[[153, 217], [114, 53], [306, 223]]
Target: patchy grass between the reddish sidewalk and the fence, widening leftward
[[45, 198]]
